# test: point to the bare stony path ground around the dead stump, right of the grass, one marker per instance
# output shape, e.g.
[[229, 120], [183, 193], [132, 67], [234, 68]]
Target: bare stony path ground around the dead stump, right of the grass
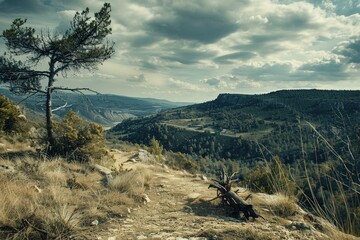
[[176, 207]]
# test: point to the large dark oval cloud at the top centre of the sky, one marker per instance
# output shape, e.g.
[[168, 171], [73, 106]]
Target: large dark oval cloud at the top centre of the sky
[[189, 23]]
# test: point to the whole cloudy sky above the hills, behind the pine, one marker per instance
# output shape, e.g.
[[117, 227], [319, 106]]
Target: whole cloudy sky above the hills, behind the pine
[[192, 50]]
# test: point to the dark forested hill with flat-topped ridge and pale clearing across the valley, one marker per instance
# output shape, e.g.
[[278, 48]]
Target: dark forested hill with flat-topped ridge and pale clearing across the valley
[[251, 127]]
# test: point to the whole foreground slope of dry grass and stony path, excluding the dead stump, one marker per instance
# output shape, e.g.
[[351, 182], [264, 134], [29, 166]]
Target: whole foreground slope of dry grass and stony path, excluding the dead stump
[[142, 200]]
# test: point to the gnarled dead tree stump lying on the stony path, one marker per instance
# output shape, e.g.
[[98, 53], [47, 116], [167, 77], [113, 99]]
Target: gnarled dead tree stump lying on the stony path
[[230, 198]]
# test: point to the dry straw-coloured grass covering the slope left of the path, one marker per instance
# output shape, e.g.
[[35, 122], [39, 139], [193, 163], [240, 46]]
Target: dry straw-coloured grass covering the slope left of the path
[[37, 201]]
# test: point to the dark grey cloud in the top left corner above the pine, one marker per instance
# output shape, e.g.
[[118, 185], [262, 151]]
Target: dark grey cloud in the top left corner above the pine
[[21, 6]]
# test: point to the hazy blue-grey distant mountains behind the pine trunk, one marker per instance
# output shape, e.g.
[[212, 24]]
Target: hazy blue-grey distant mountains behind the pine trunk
[[104, 109]]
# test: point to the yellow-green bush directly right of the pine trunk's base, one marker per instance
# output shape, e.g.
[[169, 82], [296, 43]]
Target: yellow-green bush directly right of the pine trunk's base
[[79, 140]]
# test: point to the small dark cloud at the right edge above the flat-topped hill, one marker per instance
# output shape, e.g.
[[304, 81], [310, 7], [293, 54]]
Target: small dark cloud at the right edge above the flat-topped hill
[[350, 50]]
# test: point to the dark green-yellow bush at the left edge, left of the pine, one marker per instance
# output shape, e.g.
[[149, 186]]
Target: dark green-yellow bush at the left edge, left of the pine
[[11, 119]]
